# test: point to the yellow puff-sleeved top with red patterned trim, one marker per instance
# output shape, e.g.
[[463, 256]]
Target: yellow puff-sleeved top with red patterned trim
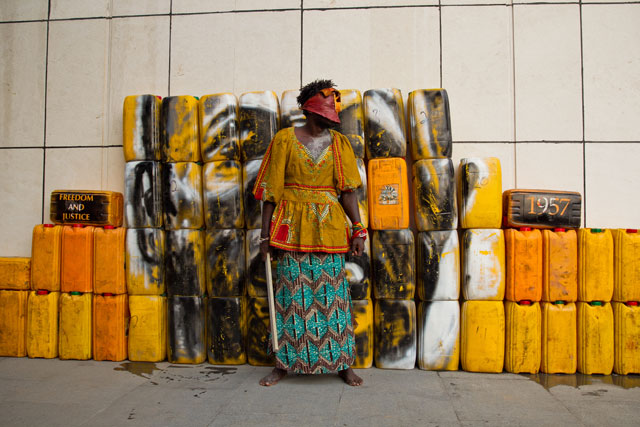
[[308, 216]]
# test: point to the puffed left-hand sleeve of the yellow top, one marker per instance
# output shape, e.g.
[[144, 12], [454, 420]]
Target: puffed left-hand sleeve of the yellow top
[[270, 180]]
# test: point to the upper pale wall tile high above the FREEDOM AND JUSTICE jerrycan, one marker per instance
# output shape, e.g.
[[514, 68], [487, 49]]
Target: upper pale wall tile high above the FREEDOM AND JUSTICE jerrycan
[[76, 82]]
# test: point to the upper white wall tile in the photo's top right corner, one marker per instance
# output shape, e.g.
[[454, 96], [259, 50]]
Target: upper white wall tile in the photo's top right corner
[[611, 36]]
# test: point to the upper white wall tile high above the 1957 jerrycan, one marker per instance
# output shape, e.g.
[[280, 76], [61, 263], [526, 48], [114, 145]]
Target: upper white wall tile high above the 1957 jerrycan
[[548, 81]]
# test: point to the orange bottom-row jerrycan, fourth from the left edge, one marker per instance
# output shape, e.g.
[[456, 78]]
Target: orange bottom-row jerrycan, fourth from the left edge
[[110, 326]]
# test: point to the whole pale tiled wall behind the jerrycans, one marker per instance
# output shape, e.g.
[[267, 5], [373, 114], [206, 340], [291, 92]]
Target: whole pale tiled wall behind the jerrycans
[[551, 88]]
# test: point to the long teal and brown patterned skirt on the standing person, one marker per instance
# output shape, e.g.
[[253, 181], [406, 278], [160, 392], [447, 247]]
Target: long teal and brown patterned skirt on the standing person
[[313, 313]]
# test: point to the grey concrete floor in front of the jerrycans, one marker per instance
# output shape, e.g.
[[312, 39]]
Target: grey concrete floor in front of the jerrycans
[[69, 393]]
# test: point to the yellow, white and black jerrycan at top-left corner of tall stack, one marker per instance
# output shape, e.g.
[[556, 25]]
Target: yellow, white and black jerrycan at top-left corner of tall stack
[[141, 127]]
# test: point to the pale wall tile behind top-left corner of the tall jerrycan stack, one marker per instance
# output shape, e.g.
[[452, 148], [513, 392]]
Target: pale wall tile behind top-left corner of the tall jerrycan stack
[[139, 64]]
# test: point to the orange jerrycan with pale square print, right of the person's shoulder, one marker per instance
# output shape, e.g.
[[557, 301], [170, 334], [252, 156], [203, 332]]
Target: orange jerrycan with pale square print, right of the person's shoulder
[[388, 190]]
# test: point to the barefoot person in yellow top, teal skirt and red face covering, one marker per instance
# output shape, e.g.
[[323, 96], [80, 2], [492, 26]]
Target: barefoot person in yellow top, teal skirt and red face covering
[[306, 182]]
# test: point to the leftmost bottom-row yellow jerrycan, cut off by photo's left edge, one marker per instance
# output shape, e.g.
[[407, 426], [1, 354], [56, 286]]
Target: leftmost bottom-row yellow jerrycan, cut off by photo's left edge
[[13, 323]]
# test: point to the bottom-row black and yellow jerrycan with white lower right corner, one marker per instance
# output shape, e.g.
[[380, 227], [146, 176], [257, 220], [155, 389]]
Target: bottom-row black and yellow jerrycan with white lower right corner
[[395, 334]]
